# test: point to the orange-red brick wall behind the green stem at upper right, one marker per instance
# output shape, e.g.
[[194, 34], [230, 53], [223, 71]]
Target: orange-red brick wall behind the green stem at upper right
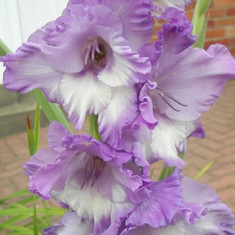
[[221, 23]]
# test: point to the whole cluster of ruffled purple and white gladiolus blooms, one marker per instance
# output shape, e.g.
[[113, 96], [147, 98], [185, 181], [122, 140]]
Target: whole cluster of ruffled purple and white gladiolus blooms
[[97, 59]]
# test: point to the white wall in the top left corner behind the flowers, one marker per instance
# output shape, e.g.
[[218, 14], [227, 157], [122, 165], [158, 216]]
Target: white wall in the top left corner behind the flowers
[[20, 18]]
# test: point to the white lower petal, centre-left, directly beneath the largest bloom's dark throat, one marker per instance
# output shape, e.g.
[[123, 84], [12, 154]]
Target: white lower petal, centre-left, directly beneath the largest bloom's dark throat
[[83, 94]]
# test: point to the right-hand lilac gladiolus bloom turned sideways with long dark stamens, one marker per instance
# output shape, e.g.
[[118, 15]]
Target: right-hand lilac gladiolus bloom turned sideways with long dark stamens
[[185, 83]]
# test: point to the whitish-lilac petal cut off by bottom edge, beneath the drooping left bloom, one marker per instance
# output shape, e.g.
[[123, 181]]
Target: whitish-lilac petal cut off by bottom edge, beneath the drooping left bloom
[[70, 224]]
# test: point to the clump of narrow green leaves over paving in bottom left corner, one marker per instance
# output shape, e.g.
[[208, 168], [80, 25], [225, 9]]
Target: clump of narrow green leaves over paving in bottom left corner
[[17, 213]]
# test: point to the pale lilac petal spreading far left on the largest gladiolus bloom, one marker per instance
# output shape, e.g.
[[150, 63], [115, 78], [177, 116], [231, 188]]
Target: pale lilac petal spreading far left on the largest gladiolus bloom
[[28, 69]]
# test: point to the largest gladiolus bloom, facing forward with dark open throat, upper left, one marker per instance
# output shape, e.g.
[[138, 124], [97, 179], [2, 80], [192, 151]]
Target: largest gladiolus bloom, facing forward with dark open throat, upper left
[[87, 61]]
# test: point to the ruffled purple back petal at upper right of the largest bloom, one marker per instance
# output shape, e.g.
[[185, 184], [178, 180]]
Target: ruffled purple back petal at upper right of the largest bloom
[[136, 21]]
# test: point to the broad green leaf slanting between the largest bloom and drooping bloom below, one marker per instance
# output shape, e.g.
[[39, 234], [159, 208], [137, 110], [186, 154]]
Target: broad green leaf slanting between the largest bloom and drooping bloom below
[[52, 111]]
